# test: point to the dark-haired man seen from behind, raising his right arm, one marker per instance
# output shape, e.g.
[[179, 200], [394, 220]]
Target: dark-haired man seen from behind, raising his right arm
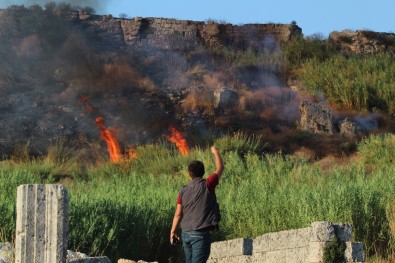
[[197, 210]]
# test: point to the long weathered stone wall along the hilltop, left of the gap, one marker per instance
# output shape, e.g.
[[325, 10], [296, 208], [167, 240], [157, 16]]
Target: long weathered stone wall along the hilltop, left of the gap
[[165, 33]]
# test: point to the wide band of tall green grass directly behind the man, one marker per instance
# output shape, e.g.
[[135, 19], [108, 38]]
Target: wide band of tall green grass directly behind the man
[[125, 210]]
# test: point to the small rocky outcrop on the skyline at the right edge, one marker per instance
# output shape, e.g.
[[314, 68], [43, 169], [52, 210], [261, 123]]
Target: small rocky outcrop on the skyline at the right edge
[[363, 41]]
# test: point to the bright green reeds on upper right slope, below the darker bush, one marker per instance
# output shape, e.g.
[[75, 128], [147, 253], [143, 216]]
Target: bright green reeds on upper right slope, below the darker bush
[[362, 82]]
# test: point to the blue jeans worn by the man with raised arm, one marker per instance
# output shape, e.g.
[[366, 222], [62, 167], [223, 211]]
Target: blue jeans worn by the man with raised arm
[[197, 245]]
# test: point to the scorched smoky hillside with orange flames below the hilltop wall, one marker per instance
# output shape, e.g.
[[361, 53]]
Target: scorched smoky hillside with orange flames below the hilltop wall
[[138, 94]]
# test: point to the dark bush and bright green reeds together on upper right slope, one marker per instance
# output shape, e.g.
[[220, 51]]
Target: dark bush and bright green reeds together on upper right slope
[[362, 82]]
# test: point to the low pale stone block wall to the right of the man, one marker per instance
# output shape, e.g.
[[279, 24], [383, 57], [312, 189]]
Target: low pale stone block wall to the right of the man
[[298, 245]]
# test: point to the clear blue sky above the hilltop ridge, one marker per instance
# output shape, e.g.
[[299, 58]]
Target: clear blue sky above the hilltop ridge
[[313, 16]]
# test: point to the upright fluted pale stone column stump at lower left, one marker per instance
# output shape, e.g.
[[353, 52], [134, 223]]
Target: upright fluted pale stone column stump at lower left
[[41, 224]]
